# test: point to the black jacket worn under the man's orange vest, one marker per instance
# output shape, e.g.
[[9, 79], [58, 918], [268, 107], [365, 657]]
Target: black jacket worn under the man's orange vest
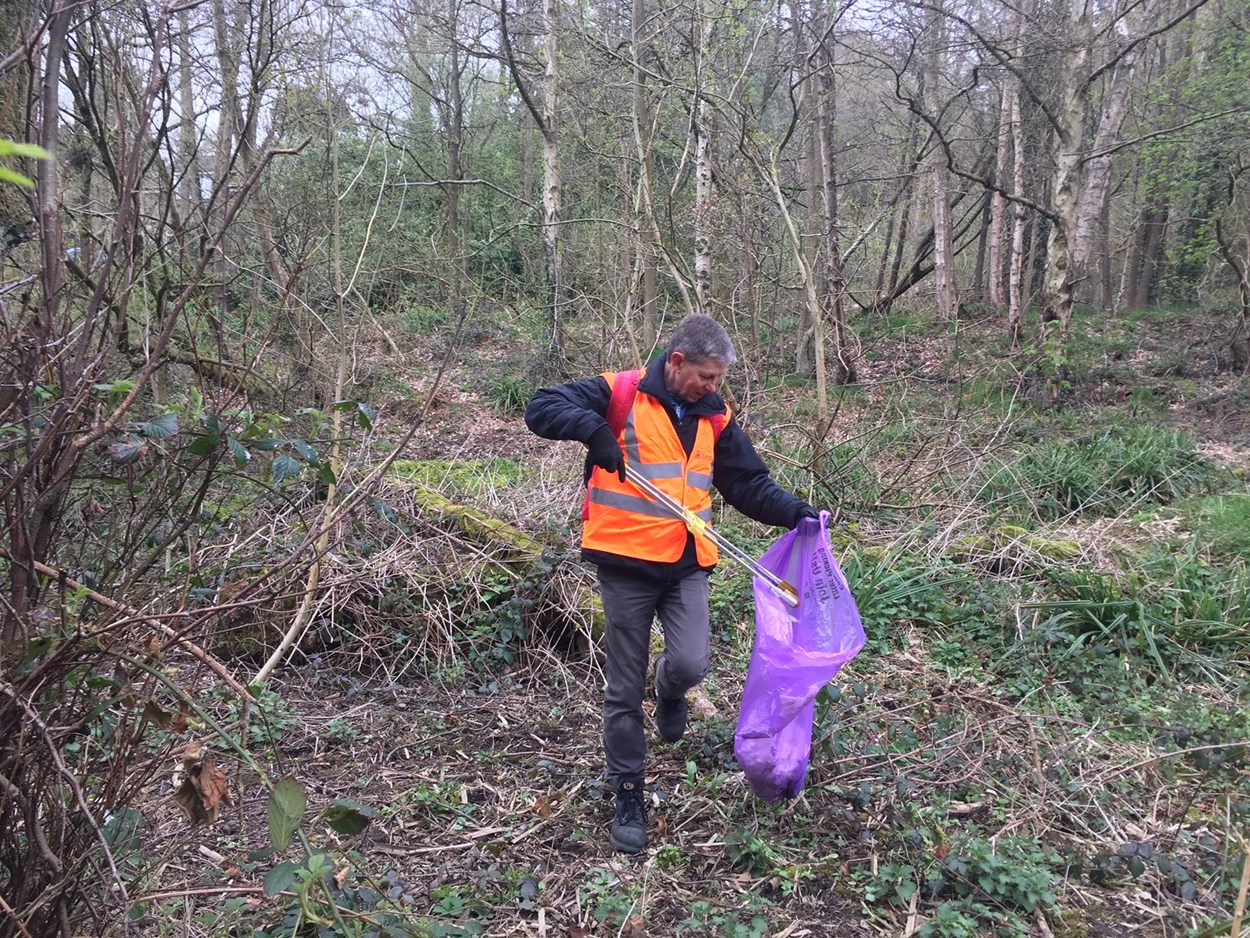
[[576, 411]]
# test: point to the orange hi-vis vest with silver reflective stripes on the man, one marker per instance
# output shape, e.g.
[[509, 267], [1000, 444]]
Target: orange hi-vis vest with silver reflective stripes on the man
[[623, 520]]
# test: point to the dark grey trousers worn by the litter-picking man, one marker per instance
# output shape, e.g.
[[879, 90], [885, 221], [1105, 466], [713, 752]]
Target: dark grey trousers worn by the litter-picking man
[[631, 605]]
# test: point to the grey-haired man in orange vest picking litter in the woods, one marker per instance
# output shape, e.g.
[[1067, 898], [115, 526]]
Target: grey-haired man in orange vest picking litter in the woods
[[679, 433]]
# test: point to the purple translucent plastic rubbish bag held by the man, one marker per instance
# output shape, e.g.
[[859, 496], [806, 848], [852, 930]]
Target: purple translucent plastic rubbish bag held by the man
[[798, 651]]
